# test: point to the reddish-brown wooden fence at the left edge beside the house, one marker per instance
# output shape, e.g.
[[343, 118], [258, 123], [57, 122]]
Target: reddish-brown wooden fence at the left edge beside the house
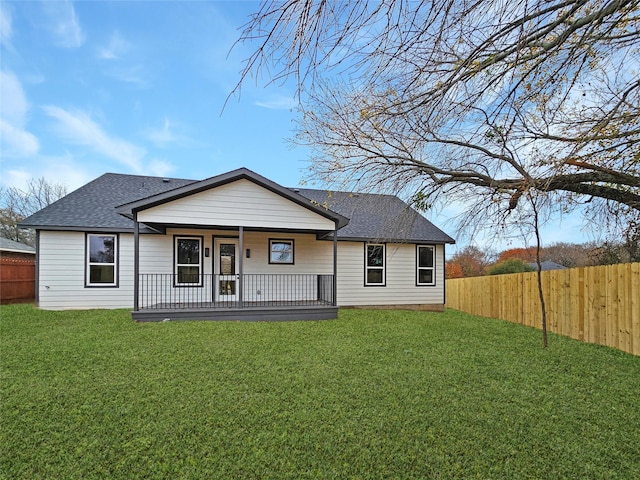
[[17, 280]]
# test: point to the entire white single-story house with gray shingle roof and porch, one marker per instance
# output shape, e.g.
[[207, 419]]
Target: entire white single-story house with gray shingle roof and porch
[[235, 246]]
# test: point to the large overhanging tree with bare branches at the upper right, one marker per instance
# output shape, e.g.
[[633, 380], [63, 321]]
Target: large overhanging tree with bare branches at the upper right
[[472, 101]]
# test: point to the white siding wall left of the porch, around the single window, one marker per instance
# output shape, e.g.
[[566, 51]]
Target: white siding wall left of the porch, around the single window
[[61, 281]]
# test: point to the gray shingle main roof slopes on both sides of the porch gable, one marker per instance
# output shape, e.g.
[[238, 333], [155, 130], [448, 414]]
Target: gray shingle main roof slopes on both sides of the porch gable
[[93, 207]]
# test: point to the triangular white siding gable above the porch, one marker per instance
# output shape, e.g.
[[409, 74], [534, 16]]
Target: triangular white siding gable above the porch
[[240, 203]]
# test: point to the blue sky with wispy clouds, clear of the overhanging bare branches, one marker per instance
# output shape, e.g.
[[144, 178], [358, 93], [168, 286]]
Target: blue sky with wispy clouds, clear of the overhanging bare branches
[[139, 87]]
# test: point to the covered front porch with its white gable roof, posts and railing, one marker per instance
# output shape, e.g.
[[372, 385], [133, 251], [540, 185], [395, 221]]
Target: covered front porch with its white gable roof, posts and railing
[[245, 265]]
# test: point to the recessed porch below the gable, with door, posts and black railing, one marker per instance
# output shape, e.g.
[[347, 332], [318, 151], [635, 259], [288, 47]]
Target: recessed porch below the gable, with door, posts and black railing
[[234, 274]]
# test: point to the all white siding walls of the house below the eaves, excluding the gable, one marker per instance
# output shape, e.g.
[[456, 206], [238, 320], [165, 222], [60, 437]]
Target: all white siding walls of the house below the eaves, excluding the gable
[[62, 264]]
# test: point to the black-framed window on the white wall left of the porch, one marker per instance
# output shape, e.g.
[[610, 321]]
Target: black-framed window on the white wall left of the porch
[[102, 260]]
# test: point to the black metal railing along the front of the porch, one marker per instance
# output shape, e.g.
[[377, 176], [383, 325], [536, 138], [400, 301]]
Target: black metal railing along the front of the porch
[[164, 291]]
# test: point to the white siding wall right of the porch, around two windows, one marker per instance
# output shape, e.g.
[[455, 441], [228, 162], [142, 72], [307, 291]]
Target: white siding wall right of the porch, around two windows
[[400, 288]]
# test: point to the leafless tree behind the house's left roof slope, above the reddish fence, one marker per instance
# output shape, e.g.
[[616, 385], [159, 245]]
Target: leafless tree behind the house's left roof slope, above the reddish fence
[[17, 204]]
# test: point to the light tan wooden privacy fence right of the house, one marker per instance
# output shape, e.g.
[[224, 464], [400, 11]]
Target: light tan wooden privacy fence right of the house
[[593, 304]]
